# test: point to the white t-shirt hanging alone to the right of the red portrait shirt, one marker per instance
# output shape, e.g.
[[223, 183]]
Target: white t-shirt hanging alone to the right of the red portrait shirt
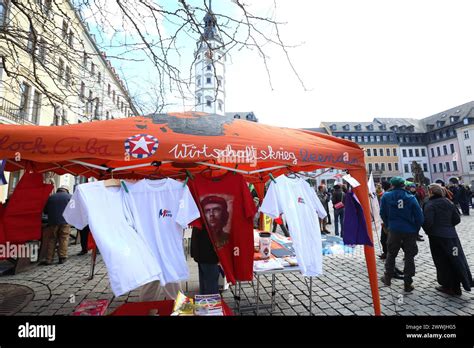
[[302, 209]]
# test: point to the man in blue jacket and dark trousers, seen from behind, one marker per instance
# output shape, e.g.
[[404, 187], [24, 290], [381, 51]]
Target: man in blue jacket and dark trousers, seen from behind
[[403, 217]]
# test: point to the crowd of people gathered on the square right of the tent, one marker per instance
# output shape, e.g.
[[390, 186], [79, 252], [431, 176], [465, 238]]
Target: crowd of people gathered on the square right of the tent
[[406, 209]]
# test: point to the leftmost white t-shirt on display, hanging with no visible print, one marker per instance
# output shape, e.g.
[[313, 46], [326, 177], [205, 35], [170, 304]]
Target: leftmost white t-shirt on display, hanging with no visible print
[[130, 262]]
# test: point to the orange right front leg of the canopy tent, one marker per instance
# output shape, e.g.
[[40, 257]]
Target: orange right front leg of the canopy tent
[[363, 194]]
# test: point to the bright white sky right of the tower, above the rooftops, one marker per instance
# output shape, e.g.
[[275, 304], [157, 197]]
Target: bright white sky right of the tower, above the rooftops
[[360, 59]]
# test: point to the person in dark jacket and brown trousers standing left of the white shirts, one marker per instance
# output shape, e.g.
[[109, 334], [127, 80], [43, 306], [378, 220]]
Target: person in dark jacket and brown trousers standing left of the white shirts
[[58, 228]]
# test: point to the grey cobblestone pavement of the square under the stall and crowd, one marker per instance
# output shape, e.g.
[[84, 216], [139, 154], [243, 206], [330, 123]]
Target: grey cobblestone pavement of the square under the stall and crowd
[[342, 290]]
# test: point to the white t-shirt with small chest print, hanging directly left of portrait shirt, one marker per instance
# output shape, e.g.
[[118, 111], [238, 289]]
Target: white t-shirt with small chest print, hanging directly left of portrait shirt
[[165, 208]]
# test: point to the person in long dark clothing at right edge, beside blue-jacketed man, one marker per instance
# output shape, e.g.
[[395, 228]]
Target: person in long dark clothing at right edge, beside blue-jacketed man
[[441, 217]]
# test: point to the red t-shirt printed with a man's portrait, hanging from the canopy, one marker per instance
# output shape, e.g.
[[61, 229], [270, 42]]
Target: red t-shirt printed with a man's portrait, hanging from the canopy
[[227, 209]]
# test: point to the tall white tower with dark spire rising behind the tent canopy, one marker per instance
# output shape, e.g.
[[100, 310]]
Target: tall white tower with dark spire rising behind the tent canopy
[[210, 68]]
